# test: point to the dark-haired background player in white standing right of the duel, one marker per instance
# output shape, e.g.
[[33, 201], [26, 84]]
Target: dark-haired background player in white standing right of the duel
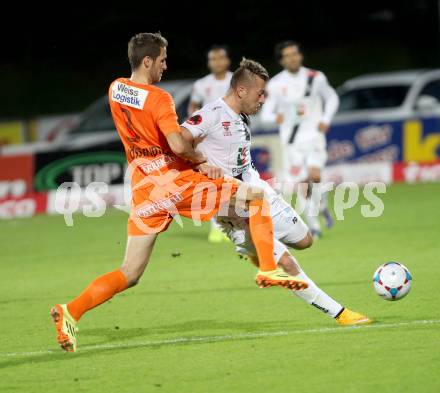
[[302, 103]]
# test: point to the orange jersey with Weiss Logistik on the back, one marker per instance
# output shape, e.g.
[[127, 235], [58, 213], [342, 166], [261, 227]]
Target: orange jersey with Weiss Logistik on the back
[[144, 115]]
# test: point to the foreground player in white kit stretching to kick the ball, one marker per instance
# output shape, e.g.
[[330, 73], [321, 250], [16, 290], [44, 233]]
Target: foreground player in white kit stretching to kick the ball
[[222, 134]]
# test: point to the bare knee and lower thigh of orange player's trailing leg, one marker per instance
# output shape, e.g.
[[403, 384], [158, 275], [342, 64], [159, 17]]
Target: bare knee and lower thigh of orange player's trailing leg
[[137, 255]]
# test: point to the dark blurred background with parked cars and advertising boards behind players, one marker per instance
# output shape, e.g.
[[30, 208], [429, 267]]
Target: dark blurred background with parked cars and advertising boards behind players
[[58, 60]]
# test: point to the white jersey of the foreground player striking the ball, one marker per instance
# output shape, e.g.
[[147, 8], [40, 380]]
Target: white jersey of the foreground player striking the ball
[[226, 144]]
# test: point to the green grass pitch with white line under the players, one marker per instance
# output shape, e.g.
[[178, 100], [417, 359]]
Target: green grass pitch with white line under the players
[[198, 323]]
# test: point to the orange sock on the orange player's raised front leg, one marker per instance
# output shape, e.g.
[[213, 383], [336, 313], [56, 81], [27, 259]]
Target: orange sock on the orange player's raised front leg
[[261, 227]]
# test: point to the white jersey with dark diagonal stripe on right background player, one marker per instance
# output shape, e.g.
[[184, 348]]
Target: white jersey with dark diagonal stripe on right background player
[[304, 99]]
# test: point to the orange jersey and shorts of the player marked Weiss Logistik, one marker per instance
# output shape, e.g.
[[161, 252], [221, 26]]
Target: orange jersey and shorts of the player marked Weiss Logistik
[[162, 184]]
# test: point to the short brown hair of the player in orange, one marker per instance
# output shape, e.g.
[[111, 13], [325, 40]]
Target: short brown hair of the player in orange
[[145, 44]]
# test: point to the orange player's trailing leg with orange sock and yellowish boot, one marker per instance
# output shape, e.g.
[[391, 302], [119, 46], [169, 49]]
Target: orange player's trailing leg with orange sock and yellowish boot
[[103, 288]]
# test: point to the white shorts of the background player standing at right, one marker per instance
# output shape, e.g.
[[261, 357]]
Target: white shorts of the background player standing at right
[[297, 158]]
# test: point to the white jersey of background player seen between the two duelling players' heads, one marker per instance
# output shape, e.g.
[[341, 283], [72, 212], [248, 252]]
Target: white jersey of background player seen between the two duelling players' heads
[[209, 89]]
